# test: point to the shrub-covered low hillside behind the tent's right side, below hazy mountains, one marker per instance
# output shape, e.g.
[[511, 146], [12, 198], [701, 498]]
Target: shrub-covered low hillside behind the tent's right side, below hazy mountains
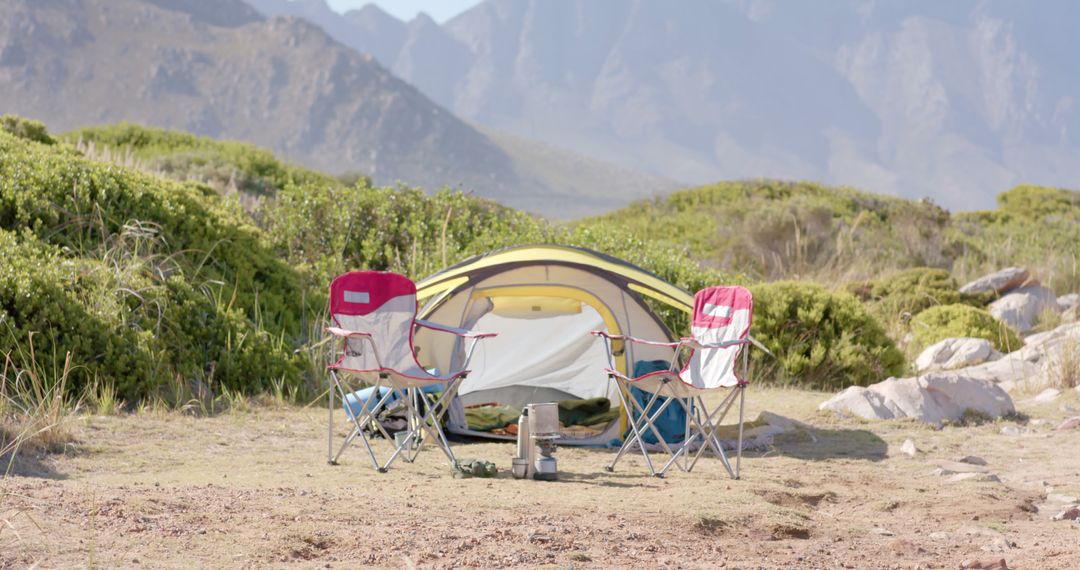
[[775, 230]]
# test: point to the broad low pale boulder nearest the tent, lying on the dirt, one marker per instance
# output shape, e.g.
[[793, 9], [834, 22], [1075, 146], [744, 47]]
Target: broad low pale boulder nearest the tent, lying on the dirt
[[933, 399]]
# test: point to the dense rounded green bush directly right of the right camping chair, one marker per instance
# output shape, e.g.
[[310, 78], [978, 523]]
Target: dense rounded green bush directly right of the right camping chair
[[821, 340]]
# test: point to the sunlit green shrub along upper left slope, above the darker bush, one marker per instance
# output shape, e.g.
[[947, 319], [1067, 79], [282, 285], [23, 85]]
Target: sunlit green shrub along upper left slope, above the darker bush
[[79, 205]]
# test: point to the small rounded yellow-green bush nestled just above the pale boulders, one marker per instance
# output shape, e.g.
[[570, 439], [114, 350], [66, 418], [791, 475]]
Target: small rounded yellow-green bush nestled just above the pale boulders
[[948, 321]]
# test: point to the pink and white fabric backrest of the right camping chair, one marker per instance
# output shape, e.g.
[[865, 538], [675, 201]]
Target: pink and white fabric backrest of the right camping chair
[[721, 315]]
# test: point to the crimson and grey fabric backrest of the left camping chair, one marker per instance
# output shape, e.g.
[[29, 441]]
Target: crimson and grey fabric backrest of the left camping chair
[[383, 305]]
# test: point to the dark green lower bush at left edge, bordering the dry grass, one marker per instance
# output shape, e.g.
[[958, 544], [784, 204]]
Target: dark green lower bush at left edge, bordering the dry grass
[[128, 330]]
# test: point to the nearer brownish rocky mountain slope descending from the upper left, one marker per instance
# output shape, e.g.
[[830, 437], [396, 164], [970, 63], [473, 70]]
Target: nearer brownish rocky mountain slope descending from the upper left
[[222, 70]]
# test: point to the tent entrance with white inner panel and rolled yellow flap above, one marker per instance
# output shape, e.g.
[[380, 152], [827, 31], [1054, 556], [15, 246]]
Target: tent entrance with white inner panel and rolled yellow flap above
[[545, 352]]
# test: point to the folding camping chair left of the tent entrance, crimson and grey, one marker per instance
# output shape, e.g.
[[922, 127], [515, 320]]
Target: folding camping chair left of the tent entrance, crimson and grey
[[374, 314]]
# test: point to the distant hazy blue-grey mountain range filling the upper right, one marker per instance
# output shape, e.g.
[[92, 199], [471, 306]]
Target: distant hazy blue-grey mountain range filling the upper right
[[954, 101]]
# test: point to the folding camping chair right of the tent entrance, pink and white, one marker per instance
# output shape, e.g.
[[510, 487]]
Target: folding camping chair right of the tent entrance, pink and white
[[721, 327]]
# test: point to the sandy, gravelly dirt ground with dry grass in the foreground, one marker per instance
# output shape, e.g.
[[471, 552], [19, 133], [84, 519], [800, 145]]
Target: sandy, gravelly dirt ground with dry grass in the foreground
[[253, 490]]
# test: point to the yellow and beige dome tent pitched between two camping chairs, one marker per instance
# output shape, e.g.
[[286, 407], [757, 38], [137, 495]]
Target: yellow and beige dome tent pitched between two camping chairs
[[544, 302]]
